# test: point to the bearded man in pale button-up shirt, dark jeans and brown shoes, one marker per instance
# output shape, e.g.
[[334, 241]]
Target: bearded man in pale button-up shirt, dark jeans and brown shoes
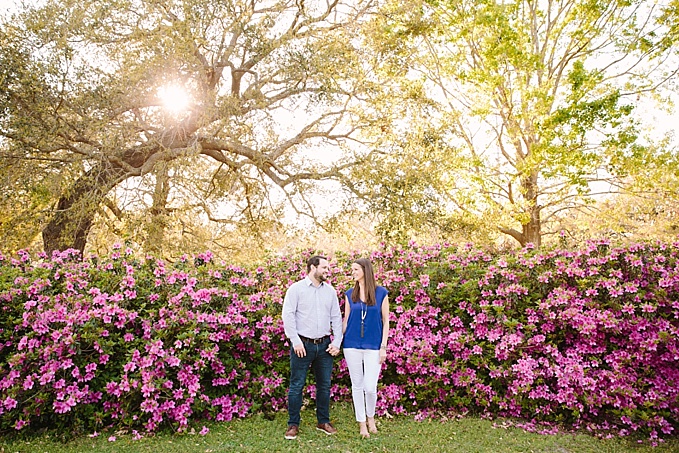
[[310, 310]]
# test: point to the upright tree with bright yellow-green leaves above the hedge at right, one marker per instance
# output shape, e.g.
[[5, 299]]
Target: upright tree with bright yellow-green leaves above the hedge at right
[[528, 105]]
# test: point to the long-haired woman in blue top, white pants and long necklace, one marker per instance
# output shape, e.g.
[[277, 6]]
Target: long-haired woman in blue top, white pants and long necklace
[[366, 330]]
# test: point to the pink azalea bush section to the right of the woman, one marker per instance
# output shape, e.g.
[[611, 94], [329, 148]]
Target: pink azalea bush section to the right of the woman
[[585, 338]]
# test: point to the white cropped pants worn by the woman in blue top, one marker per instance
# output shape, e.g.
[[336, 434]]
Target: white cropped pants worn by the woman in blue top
[[364, 370]]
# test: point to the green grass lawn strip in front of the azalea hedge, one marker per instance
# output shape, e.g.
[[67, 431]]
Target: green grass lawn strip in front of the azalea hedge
[[399, 434]]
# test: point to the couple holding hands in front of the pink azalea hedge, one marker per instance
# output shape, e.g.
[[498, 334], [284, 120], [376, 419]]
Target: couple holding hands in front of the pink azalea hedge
[[311, 312]]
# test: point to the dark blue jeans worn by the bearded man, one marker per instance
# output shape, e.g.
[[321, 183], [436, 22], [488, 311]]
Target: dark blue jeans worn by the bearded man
[[318, 359]]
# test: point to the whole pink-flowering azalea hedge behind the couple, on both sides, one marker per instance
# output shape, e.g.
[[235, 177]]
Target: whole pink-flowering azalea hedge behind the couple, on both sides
[[585, 338]]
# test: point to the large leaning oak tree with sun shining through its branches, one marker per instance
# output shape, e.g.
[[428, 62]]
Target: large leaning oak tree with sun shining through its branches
[[271, 89]]
